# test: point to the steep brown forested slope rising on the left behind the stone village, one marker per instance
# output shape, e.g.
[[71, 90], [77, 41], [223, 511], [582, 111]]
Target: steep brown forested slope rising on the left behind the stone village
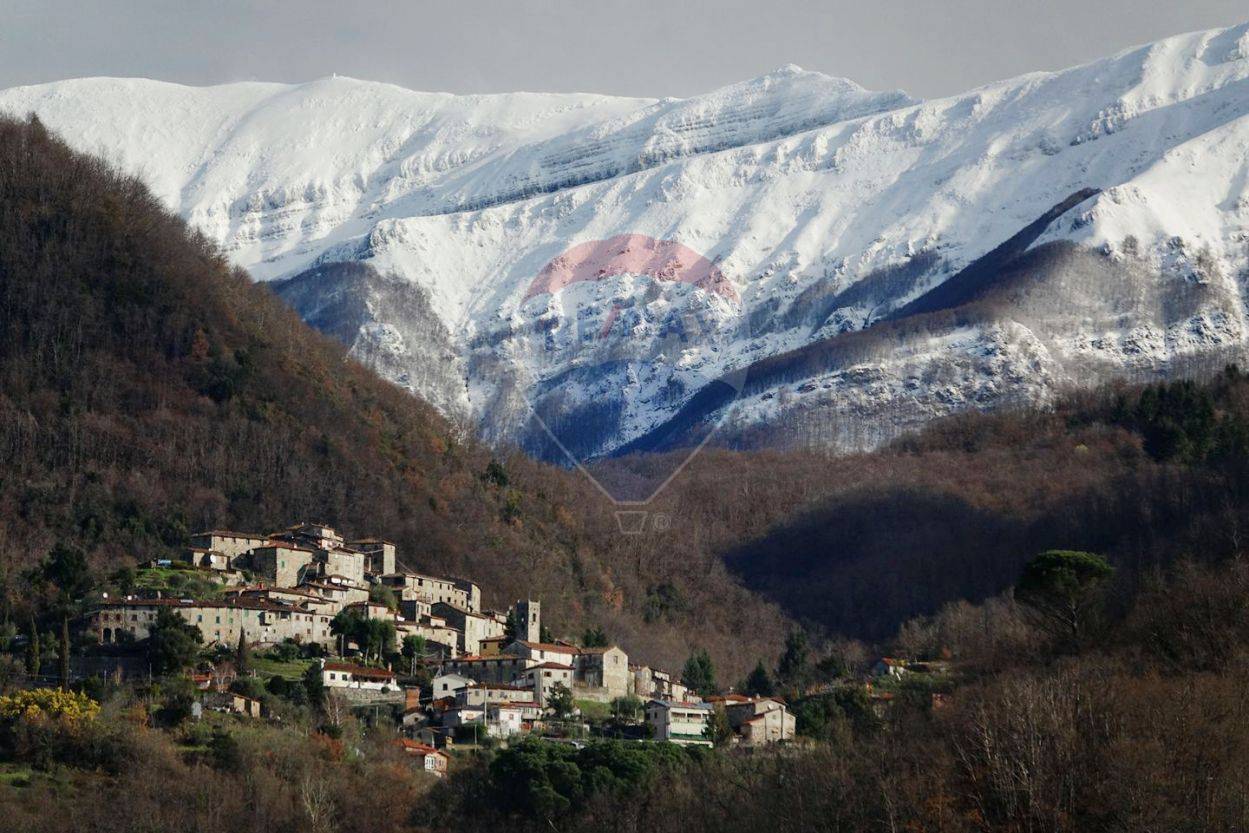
[[148, 392]]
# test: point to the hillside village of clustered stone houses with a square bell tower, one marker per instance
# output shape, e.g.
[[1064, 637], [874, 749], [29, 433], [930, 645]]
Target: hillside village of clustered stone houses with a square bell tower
[[473, 673]]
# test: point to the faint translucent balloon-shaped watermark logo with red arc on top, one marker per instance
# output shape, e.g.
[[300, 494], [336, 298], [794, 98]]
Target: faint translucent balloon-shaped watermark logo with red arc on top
[[633, 330]]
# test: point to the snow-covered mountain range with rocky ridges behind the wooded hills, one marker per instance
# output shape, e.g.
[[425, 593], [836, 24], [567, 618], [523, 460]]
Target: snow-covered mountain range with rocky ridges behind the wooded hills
[[807, 260]]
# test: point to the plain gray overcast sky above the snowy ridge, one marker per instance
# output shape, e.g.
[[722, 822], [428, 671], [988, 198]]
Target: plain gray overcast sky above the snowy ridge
[[650, 48]]
